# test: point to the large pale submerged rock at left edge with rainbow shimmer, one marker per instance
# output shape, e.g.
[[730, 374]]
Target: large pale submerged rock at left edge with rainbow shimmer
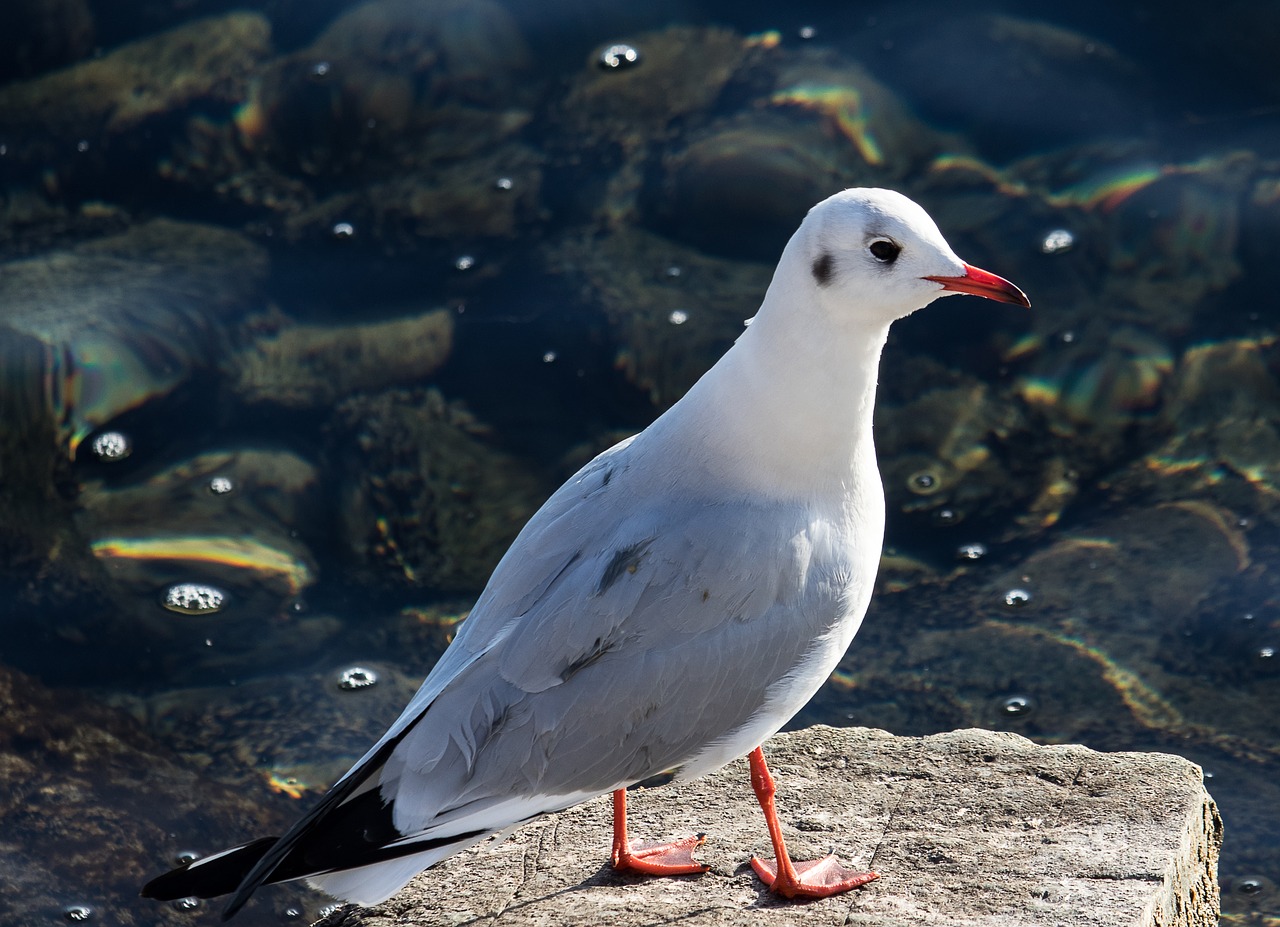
[[127, 317]]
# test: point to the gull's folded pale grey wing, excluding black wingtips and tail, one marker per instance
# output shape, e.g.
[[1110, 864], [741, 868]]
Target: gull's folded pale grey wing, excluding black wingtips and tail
[[655, 631]]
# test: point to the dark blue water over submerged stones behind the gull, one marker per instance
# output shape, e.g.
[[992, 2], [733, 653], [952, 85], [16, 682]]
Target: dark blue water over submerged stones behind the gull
[[358, 286]]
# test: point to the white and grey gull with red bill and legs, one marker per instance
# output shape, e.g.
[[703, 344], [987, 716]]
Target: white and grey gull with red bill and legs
[[670, 609]]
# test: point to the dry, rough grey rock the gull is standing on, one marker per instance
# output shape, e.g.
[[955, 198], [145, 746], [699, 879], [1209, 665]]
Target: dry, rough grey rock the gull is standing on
[[966, 829]]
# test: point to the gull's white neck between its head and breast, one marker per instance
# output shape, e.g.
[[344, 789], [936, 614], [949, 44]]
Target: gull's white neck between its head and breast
[[787, 413]]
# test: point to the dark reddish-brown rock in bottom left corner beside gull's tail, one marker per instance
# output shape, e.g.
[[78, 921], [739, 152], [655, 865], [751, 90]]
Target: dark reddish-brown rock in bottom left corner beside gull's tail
[[93, 807]]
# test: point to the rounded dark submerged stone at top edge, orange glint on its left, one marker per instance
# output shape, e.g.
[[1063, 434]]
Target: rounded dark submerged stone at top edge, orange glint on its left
[[404, 83]]
